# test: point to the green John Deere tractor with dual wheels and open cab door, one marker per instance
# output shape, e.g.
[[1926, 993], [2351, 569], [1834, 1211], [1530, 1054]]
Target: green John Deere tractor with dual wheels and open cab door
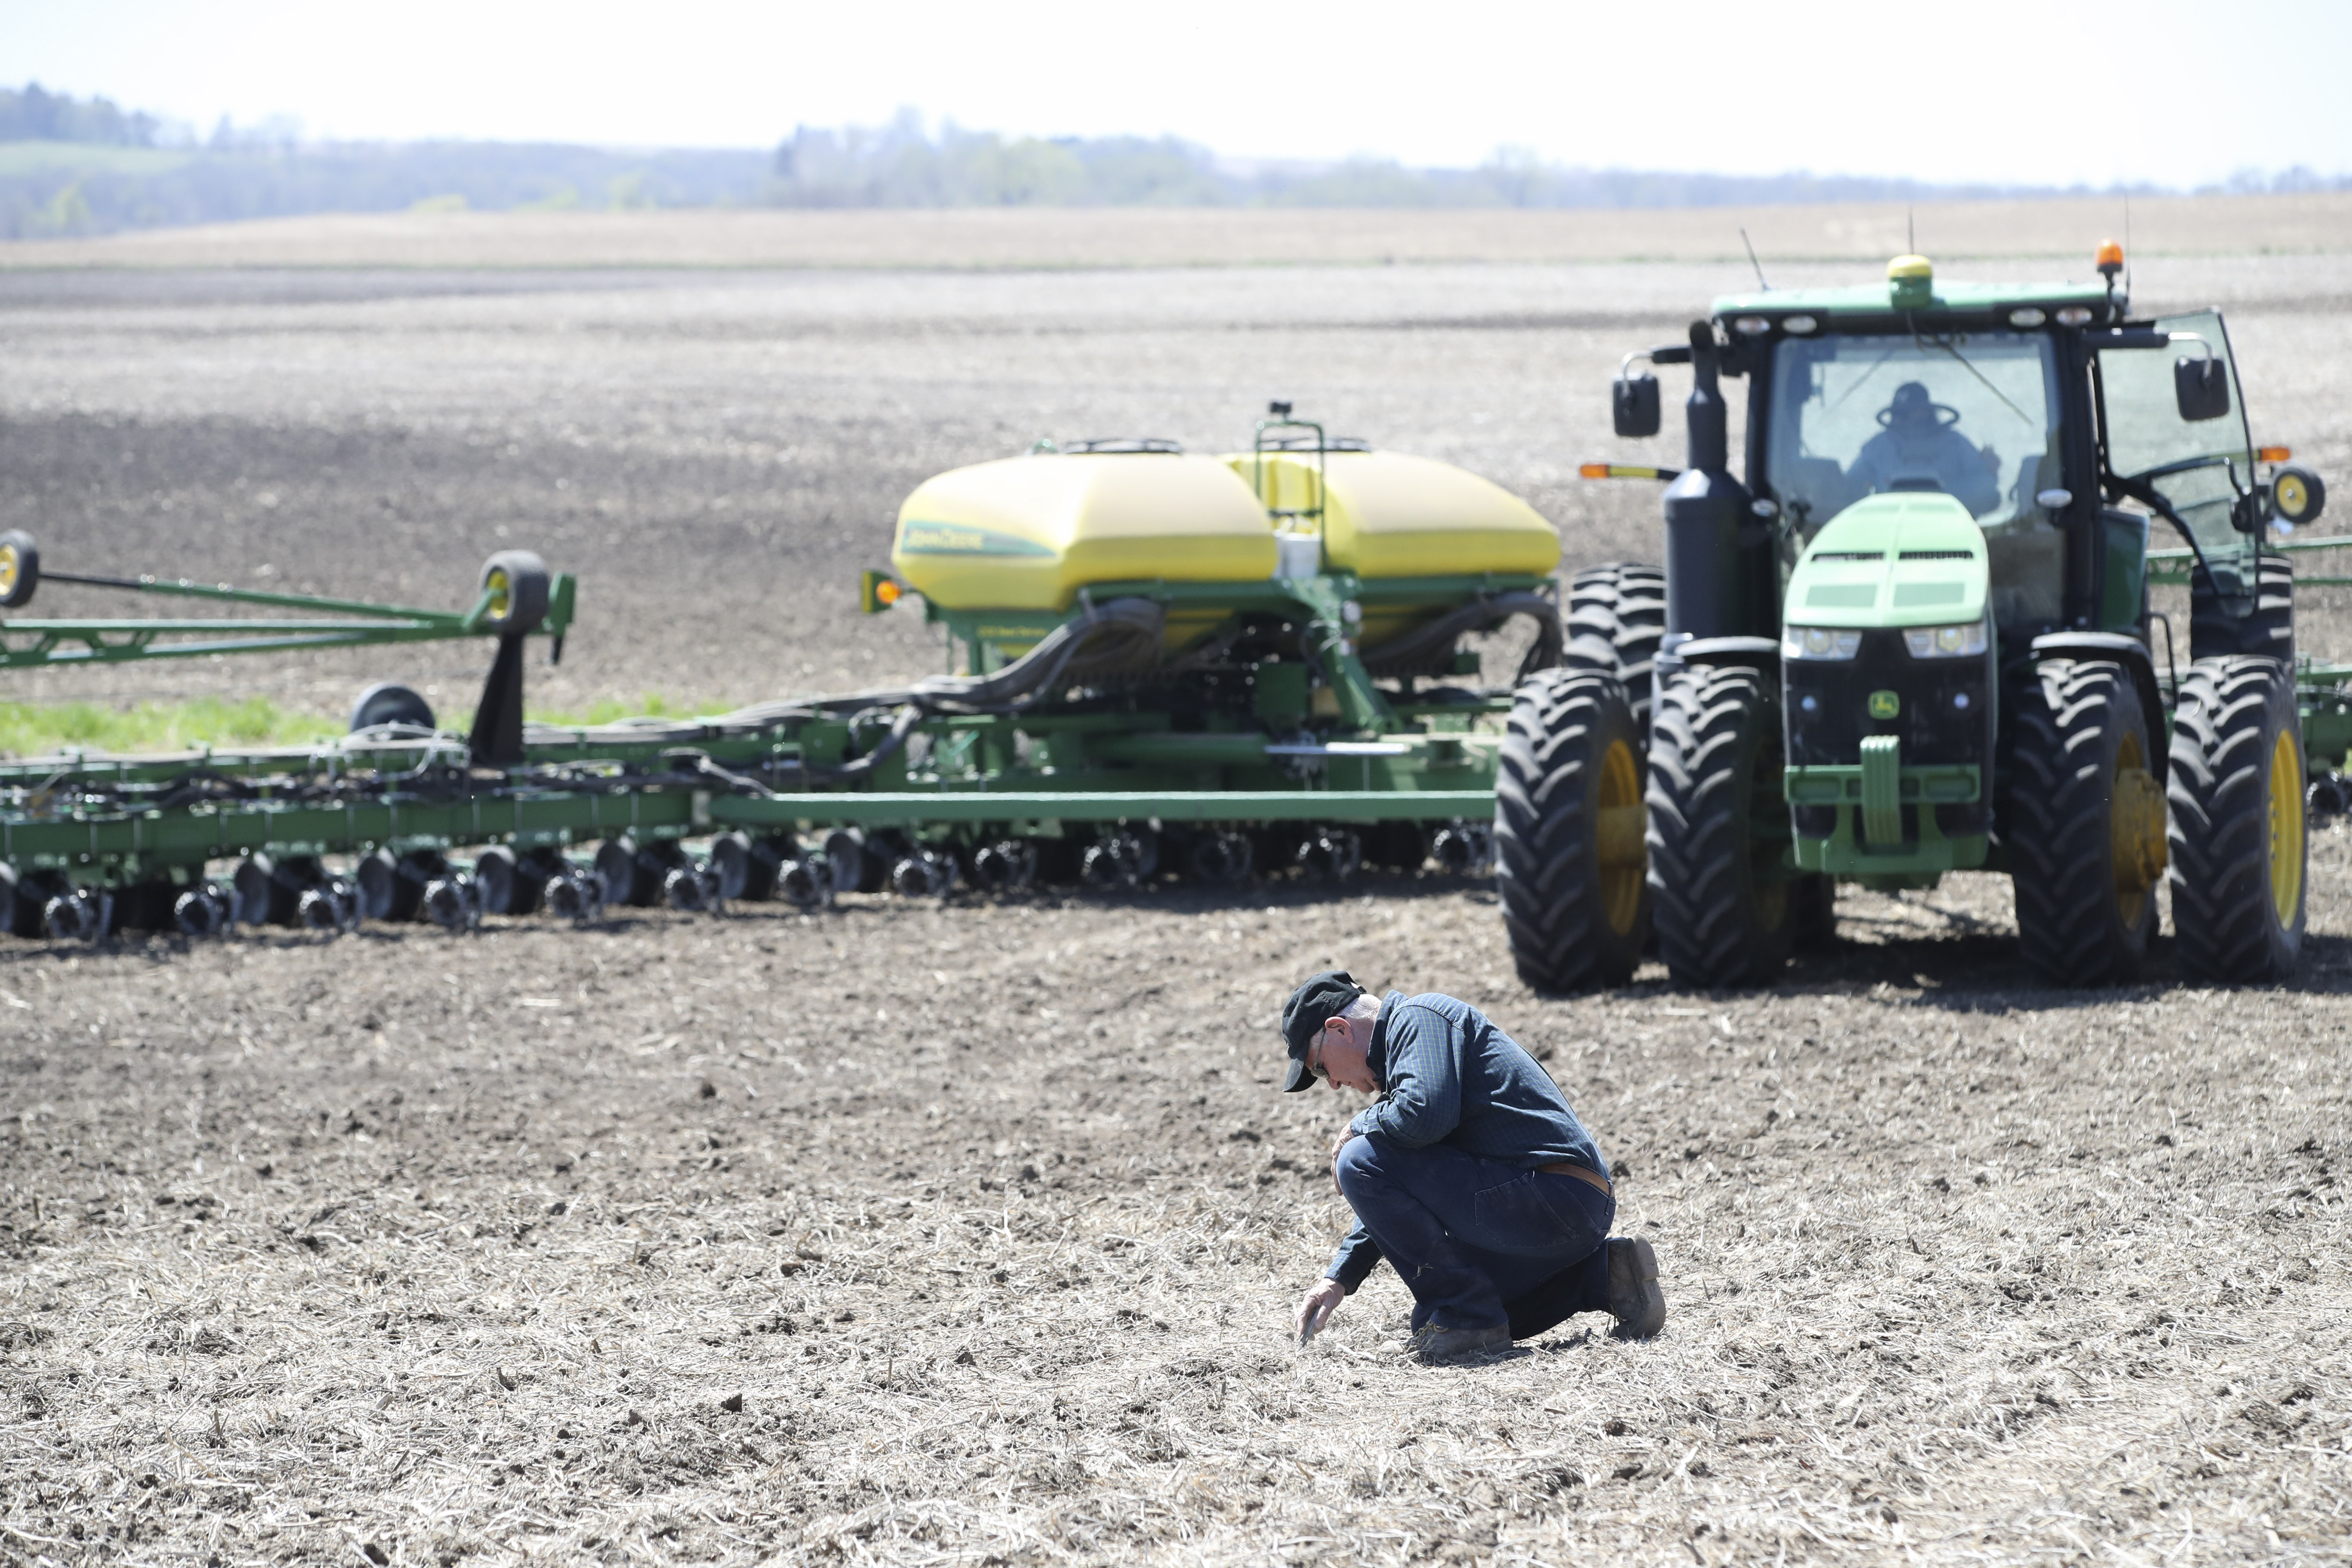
[[1918, 641]]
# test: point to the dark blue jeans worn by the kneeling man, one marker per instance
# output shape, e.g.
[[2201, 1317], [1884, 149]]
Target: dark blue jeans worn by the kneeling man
[[1481, 1242]]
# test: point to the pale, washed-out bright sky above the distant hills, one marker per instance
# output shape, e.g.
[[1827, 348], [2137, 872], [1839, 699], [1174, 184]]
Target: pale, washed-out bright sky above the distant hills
[[2059, 93]]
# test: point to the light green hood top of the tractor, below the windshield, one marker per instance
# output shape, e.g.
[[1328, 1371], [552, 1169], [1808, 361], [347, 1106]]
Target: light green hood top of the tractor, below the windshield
[[1892, 561]]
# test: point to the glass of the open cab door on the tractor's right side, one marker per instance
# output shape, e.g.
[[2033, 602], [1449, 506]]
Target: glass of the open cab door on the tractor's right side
[[2198, 467]]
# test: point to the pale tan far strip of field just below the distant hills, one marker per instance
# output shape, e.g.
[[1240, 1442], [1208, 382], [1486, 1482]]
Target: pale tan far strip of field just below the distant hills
[[1210, 236]]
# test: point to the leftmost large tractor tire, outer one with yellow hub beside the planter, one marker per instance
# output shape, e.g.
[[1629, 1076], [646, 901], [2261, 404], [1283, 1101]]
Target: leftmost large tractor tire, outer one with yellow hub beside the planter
[[1568, 833]]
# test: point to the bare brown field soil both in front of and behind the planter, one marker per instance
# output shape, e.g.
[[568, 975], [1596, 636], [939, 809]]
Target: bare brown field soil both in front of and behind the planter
[[970, 1231]]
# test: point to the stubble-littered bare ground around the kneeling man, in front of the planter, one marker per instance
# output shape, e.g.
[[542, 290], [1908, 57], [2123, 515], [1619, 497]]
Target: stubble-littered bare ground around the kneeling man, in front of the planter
[[356, 1247]]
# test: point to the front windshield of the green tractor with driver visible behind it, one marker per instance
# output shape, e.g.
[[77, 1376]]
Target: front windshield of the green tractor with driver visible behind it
[[1972, 415]]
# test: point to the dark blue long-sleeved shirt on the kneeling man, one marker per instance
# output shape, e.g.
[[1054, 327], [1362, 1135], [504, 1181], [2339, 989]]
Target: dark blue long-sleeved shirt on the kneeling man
[[1450, 1076]]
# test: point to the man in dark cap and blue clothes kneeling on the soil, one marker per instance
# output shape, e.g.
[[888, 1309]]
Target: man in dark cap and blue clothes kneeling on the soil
[[1469, 1174]]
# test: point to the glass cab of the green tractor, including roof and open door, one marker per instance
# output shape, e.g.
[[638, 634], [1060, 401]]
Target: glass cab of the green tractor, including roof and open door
[[2062, 427]]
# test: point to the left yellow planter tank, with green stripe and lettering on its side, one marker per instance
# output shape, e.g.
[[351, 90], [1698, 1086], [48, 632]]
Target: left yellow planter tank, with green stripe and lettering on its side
[[1031, 532]]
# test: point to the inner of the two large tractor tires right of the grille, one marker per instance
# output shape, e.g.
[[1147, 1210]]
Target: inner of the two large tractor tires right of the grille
[[2083, 824]]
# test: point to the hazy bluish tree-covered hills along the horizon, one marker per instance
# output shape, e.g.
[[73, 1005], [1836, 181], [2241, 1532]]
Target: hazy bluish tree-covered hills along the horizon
[[91, 168]]
